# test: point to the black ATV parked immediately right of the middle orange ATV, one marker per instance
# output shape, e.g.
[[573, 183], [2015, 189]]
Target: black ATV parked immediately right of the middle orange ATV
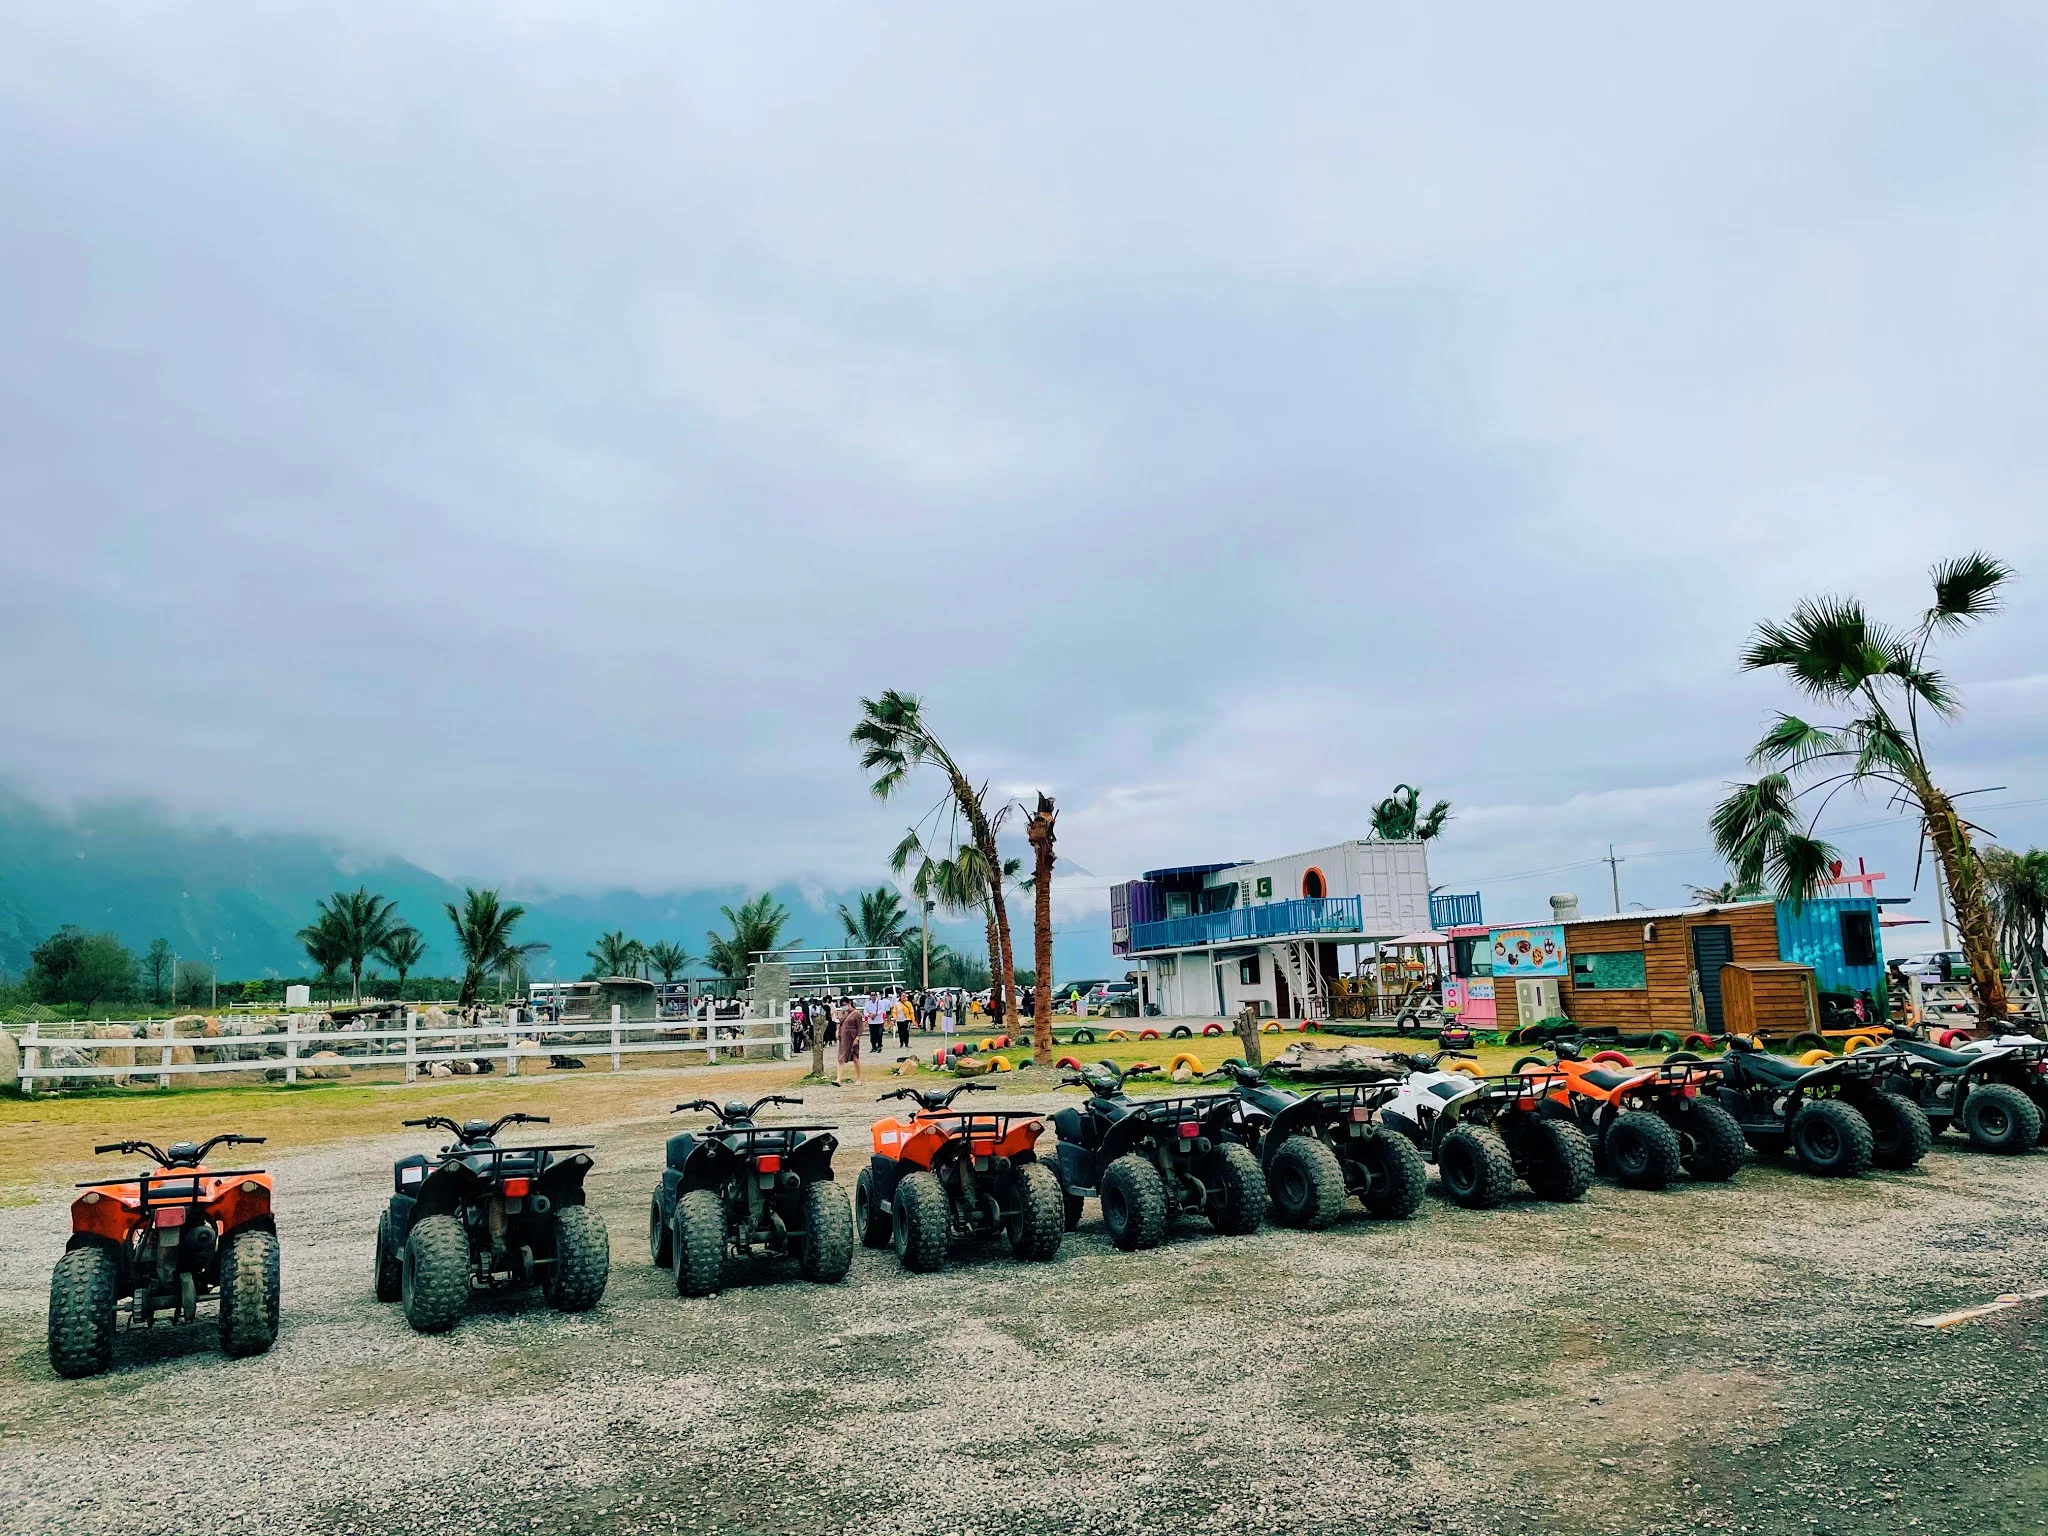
[[1156, 1160]]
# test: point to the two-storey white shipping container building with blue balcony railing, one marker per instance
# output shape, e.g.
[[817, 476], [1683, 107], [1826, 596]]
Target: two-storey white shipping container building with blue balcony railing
[[1209, 939]]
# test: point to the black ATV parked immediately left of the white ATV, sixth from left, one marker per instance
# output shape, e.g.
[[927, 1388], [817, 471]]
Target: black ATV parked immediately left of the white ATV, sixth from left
[[1328, 1146]]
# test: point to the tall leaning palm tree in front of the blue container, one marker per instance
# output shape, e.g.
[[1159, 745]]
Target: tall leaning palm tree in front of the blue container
[[1834, 652]]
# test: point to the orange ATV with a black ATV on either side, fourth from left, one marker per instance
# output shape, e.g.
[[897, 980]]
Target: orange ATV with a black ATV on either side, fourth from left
[[943, 1172]]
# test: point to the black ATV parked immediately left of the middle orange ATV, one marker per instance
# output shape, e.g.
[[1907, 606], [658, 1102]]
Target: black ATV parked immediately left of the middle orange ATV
[[740, 1191]]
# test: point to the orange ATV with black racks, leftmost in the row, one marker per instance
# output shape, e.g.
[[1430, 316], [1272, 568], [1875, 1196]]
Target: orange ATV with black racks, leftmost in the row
[[167, 1242]]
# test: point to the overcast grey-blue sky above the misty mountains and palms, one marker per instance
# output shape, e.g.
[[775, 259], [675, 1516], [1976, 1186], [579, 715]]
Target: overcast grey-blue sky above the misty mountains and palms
[[515, 435]]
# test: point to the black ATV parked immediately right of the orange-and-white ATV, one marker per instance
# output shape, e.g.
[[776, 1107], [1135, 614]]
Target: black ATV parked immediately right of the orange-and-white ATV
[[1838, 1119]]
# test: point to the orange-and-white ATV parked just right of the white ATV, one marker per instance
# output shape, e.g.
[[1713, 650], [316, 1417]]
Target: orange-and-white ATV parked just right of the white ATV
[[1646, 1123]]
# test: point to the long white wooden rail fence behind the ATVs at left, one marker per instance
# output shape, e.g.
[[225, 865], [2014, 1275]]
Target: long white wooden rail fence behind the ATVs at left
[[292, 1050]]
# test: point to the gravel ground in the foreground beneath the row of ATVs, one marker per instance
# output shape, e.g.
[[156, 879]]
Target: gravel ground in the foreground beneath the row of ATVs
[[1707, 1359]]
